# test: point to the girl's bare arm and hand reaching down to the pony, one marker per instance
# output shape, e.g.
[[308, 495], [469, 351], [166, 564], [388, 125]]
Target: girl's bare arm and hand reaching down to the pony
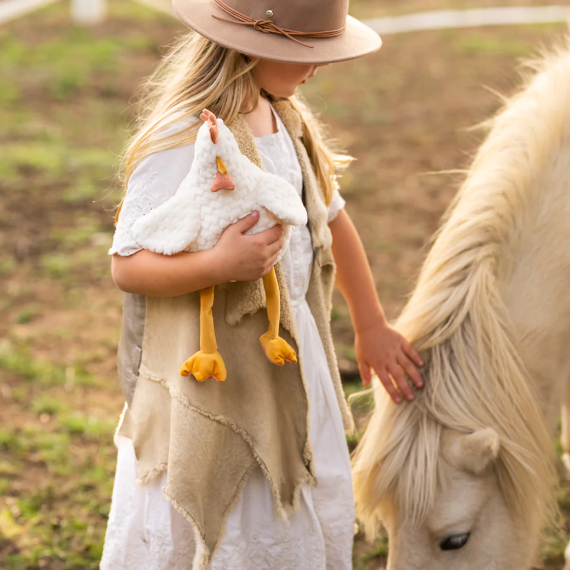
[[378, 346]]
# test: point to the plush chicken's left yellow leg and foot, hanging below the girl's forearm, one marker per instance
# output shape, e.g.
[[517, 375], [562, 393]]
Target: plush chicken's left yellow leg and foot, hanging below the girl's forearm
[[207, 362]]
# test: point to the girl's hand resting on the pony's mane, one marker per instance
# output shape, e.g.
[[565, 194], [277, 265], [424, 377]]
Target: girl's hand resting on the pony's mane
[[383, 349]]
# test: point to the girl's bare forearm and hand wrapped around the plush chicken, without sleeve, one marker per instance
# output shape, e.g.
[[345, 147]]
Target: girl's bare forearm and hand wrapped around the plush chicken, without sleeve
[[235, 257]]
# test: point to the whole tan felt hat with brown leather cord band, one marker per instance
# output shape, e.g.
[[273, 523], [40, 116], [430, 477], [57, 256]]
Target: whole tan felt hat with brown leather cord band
[[292, 31]]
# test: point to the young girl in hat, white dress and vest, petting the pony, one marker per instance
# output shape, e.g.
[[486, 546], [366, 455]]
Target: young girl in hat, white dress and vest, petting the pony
[[253, 473]]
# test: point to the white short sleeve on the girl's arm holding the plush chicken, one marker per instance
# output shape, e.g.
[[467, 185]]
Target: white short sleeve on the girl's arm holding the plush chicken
[[154, 180]]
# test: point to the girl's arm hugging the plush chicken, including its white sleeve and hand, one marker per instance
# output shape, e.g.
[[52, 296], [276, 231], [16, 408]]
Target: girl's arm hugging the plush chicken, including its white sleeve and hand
[[235, 257]]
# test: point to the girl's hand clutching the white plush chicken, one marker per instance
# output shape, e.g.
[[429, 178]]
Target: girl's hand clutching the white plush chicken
[[247, 257]]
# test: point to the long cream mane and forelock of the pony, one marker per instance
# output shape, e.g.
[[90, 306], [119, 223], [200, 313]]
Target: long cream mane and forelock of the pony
[[457, 318]]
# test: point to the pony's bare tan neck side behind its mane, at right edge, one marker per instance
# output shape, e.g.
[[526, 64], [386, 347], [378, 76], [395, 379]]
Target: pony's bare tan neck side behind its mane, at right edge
[[535, 285]]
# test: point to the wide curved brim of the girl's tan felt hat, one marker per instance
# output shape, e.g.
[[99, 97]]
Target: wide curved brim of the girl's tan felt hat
[[356, 41]]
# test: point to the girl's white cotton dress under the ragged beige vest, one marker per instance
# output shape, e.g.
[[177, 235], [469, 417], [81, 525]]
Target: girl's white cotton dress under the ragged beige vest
[[144, 532]]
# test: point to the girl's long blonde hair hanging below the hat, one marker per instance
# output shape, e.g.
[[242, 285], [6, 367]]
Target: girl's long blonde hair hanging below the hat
[[197, 74]]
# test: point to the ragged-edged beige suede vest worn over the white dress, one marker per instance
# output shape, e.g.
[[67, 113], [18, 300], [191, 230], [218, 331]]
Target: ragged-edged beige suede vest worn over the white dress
[[210, 436]]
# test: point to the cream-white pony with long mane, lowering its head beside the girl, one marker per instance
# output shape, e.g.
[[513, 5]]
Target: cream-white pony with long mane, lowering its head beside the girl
[[463, 478]]
